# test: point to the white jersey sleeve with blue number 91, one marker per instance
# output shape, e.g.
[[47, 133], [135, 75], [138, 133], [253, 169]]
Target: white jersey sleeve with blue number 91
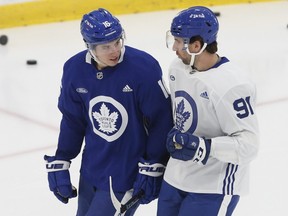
[[237, 118]]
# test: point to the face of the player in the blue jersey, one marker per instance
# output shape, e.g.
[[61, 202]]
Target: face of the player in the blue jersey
[[108, 54]]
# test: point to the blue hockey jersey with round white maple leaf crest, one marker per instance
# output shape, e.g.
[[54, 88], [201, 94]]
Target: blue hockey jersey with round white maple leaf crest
[[121, 113]]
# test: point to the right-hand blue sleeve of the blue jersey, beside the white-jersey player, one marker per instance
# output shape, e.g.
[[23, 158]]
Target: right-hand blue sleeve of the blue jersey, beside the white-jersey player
[[155, 104]]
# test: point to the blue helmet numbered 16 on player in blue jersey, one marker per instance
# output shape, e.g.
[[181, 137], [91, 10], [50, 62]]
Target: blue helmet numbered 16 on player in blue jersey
[[100, 26]]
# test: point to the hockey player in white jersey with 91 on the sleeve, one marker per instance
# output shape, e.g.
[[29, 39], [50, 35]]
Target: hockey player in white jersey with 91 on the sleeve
[[215, 136]]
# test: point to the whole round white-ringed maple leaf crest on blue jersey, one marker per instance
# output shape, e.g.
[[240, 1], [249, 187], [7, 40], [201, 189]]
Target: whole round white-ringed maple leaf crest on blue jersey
[[108, 117]]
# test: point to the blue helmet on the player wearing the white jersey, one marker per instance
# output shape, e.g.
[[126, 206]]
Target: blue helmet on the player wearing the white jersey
[[196, 21]]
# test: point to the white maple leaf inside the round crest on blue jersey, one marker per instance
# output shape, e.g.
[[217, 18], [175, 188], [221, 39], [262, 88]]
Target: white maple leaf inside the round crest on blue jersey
[[106, 121]]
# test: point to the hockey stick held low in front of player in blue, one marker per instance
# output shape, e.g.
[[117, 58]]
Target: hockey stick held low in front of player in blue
[[122, 208]]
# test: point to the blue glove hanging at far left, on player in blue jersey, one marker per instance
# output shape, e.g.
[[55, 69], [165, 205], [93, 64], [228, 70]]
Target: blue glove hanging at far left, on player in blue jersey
[[59, 178]]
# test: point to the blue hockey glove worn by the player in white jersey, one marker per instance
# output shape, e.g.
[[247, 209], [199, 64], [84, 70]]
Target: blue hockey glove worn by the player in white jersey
[[186, 146]]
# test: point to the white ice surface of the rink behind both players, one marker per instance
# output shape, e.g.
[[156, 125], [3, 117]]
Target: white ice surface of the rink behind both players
[[254, 35]]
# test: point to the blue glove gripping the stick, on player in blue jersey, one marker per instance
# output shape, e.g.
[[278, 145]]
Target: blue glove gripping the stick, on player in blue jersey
[[149, 179]]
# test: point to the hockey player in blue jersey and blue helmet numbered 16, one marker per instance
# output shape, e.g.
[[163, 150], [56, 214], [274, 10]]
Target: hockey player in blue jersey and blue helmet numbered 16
[[114, 100]]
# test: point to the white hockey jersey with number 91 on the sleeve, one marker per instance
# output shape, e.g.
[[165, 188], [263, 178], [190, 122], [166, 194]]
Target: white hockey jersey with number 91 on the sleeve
[[218, 104]]
